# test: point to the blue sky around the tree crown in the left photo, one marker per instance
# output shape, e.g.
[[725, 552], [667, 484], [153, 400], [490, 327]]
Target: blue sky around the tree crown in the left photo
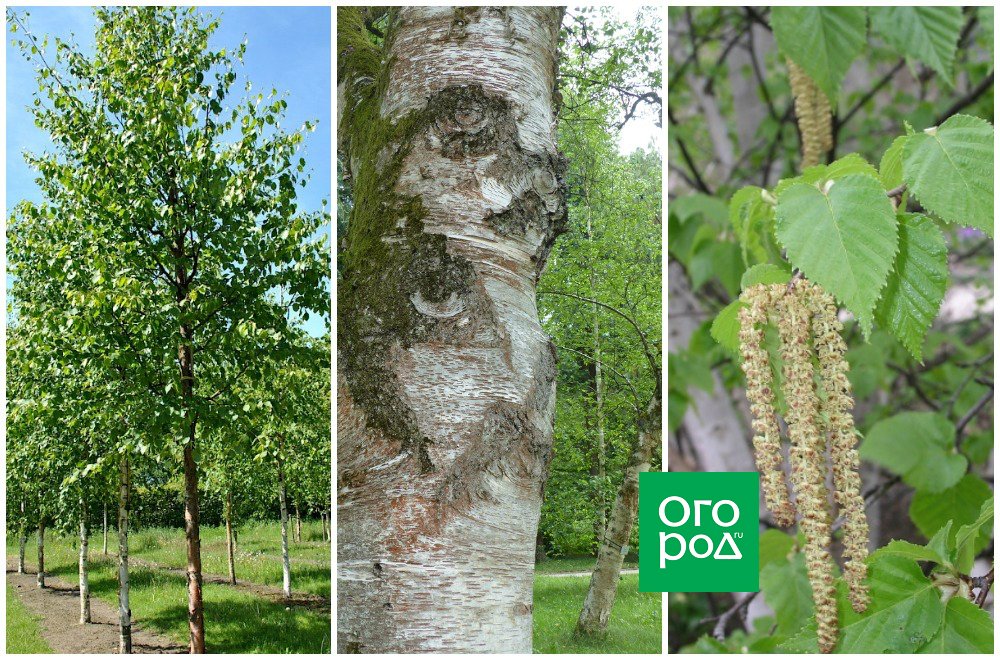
[[288, 49]]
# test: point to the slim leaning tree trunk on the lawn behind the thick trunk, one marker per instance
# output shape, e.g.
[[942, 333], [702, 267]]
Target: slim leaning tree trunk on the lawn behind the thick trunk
[[604, 582]]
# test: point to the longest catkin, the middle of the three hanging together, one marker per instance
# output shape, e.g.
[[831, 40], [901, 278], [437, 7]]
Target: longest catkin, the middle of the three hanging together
[[808, 461]]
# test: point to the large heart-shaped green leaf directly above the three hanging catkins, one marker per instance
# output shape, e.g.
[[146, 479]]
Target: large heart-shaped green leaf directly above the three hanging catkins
[[843, 239]]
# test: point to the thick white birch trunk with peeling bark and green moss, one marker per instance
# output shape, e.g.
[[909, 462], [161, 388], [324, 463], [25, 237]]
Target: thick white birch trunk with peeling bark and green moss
[[446, 391]]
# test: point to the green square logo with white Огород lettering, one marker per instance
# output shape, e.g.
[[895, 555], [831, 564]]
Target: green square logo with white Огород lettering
[[699, 531]]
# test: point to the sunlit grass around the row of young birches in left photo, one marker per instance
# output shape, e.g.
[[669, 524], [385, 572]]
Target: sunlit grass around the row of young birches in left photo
[[235, 621]]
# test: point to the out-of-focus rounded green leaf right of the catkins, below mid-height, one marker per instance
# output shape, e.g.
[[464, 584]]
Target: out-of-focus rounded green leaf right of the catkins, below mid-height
[[918, 446]]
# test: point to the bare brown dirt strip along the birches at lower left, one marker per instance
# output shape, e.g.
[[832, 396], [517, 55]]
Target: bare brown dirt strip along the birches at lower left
[[59, 606]]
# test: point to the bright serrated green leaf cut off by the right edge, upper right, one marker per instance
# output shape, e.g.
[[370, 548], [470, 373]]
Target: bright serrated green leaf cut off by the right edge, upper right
[[949, 169]]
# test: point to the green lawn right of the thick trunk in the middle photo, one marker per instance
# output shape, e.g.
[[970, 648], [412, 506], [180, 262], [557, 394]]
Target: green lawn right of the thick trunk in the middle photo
[[634, 626]]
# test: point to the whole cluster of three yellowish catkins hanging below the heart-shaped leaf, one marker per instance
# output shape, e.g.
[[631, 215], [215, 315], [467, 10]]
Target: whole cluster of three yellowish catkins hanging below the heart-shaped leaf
[[808, 328]]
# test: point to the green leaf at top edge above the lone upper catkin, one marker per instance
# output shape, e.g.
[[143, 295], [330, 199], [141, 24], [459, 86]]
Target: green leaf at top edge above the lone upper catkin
[[822, 40]]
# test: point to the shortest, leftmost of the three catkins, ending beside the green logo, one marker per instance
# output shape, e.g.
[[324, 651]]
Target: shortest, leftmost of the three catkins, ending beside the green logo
[[767, 435]]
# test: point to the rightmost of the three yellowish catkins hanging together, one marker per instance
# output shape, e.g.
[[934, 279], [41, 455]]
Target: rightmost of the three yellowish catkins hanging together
[[836, 408]]
